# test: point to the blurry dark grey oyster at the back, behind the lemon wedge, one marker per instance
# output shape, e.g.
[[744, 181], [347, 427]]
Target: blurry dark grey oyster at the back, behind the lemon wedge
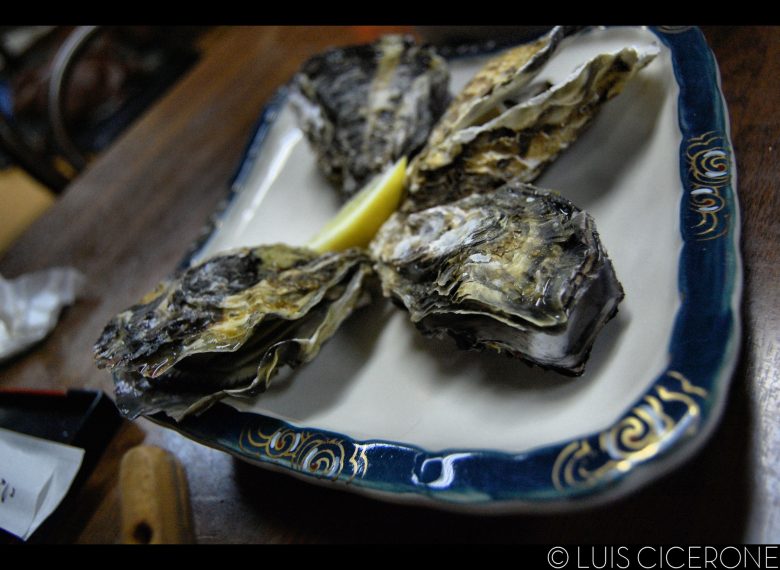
[[364, 107]]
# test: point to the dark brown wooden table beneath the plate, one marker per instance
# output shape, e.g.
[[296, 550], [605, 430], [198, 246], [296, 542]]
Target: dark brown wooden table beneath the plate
[[132, 215]]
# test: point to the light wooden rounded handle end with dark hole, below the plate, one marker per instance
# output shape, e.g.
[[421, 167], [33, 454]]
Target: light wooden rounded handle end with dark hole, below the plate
[[154, 498]]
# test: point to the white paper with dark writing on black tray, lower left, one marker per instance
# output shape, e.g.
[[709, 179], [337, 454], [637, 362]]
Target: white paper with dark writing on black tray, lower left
[[35, 475]]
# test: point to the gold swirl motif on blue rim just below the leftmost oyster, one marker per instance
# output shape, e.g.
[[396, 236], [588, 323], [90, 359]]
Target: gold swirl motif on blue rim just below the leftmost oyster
[[306, 451]]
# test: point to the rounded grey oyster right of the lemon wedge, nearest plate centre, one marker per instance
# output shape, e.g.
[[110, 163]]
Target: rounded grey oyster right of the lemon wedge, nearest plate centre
[[518, 270]]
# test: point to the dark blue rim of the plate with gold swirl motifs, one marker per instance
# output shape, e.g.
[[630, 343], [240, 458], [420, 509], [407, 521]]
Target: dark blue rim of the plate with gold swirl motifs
[[671, 420]]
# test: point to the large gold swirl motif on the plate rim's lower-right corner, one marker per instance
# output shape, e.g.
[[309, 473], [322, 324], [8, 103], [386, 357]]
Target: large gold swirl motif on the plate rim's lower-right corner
[[635, 438]]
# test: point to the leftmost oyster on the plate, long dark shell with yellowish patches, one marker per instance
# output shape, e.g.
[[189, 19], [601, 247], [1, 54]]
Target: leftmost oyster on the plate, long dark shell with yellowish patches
[[225, 326]]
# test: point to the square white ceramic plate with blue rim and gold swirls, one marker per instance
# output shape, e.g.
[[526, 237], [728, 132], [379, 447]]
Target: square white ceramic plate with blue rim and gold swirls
[[386, 412]]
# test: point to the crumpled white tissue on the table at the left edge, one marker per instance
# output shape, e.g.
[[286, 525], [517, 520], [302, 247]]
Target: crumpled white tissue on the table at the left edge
[[30, 306]]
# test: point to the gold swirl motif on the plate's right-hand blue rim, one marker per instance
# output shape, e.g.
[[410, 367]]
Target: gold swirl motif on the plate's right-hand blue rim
[[709, 170]]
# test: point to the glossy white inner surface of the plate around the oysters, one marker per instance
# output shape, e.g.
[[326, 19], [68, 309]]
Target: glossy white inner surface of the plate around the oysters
[[378, 378]]
